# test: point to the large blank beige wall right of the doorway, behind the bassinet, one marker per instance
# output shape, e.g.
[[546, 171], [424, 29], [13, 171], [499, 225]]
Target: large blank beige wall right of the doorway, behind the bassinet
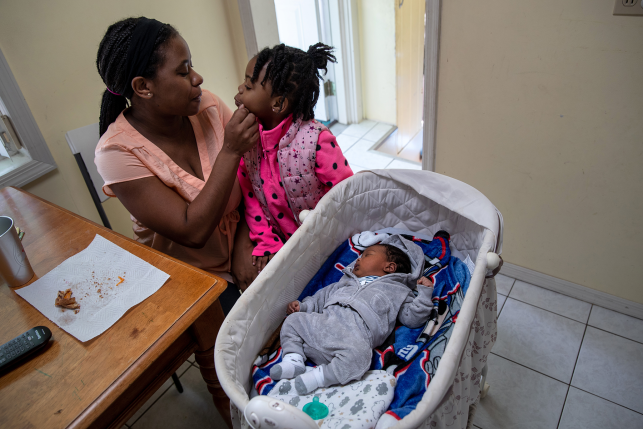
[[540, 107]]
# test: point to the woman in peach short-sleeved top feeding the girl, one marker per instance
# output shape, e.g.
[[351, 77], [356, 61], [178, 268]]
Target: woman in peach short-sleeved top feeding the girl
[[171, 157]]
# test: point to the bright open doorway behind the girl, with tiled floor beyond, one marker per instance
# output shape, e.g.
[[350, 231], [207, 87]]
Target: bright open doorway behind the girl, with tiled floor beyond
[[374, 98]]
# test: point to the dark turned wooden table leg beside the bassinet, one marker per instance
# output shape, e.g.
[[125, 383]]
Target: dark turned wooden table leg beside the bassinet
[[205, 330]]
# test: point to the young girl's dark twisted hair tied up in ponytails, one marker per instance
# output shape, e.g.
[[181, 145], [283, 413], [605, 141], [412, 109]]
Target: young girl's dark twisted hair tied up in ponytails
[[295, 75]]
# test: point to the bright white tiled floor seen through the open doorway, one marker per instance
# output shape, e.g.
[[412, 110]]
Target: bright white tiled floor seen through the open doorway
[[357, 142]]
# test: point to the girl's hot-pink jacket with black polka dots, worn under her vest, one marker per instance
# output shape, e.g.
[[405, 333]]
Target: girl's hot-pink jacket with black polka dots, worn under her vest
[[331, 168]]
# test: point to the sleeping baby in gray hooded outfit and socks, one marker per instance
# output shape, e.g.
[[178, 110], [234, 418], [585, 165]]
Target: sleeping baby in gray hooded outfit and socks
[[338, 327]]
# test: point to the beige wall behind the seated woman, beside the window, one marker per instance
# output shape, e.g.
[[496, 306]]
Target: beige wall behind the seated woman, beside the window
[[51, 48]]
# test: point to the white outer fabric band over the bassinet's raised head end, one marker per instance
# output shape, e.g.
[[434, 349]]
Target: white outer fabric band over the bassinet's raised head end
[[453, 194]]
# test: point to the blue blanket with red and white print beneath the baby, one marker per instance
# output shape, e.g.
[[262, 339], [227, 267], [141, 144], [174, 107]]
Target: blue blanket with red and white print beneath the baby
[[411, 355]]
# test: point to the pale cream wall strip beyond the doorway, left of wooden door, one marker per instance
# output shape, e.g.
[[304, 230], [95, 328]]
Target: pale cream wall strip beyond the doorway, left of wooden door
[[377, 53]]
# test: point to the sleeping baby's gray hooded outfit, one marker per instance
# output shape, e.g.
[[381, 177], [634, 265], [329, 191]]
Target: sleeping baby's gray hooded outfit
[[339, 326]]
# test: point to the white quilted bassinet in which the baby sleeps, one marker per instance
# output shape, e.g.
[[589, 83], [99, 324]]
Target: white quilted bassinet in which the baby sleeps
[[418, 201]]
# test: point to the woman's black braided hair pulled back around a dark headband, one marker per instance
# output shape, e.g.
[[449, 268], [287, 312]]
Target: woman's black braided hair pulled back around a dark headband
[[112, 66]]
